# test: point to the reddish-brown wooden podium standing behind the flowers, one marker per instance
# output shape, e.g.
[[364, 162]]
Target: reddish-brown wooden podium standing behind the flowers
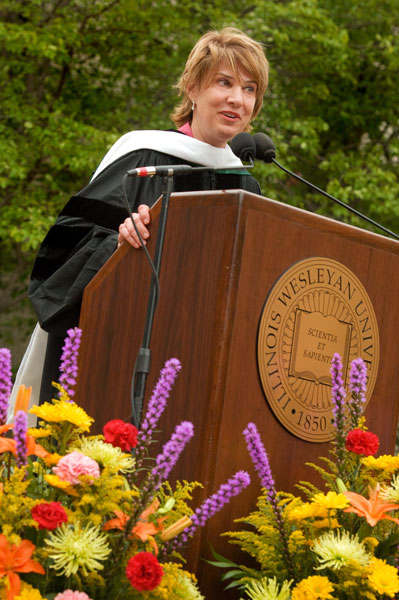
[[223, 253]]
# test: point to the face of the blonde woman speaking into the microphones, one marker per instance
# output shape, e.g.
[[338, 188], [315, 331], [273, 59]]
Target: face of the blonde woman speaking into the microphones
[[223, 108]]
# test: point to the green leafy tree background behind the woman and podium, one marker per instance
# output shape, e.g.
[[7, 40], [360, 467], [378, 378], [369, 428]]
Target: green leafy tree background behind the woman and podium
[[76, 74]]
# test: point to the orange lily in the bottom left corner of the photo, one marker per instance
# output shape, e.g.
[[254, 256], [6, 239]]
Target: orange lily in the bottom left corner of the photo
[[17, 559]]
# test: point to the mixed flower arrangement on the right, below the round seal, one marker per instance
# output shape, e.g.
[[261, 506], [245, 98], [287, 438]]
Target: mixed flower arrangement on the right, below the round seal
[[340, 543]]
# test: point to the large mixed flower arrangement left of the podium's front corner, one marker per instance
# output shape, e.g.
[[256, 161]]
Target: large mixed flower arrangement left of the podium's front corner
[[94, 517]]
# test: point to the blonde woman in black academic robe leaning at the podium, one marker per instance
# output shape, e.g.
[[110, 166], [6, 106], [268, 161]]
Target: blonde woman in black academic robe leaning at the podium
[[222, 90]]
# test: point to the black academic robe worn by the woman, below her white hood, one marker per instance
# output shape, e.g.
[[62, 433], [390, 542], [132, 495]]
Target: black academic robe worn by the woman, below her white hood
[[85, 235]]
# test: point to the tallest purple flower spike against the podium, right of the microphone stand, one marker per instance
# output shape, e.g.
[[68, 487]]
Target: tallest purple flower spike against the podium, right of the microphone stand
[[158, 400]]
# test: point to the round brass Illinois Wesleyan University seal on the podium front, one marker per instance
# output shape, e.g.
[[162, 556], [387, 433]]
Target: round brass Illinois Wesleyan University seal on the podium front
[[316, 308]]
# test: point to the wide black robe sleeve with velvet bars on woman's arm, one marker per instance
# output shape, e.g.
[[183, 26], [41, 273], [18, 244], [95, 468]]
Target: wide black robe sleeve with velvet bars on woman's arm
[[84, 236]]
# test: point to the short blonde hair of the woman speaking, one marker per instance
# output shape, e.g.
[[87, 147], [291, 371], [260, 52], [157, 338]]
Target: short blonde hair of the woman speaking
[[240, 52]]
